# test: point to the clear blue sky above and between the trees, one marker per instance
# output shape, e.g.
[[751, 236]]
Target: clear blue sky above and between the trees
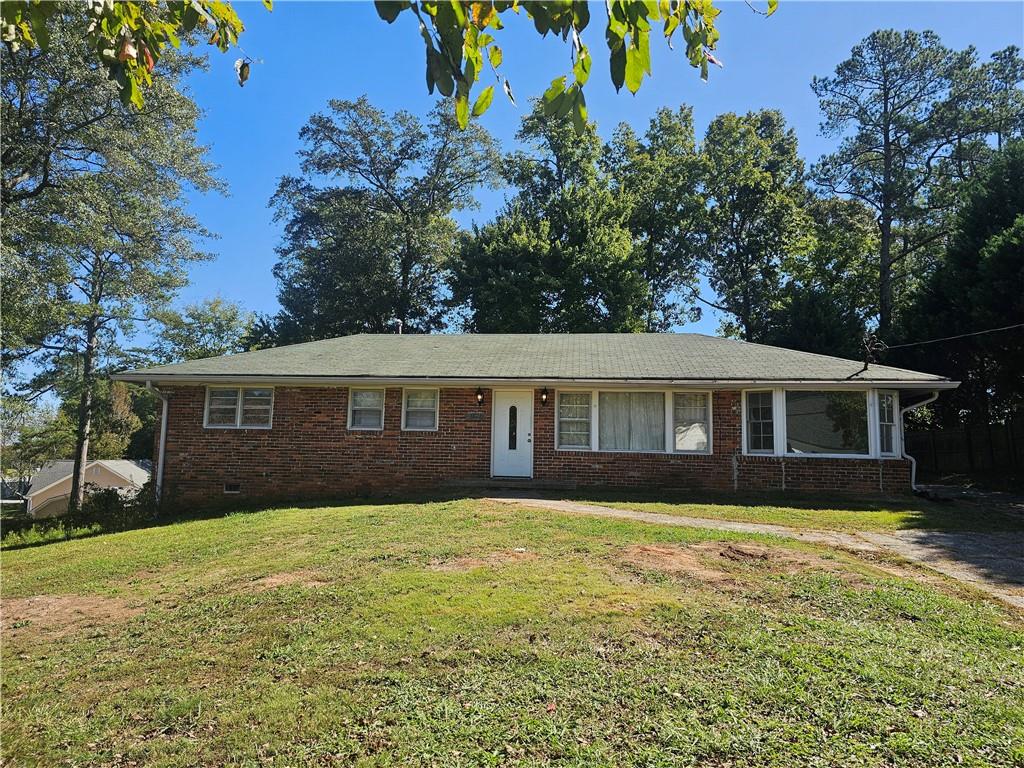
[[315, 52]]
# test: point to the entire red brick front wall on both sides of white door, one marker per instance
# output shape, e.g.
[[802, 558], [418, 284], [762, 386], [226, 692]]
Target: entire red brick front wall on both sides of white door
[[311, 453]]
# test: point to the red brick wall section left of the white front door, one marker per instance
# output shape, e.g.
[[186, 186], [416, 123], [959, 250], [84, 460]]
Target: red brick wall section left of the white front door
[[311, 453]]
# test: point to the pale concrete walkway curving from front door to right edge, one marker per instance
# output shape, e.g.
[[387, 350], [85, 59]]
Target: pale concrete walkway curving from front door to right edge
[[992, 563]]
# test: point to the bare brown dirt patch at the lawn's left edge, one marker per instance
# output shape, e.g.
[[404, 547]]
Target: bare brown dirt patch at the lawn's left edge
[[60, 616]]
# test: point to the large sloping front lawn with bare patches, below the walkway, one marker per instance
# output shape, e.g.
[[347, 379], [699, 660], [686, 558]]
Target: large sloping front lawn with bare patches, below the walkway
[[465, 633]]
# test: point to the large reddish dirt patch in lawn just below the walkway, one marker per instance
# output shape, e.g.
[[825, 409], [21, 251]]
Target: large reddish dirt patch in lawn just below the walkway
[[720, 564]]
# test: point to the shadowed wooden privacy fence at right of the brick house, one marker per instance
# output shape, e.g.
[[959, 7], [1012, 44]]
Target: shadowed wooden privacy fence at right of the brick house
[[970, 449]]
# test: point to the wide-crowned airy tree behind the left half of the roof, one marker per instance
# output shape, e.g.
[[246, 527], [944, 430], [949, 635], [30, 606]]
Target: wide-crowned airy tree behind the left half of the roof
[[369, 229]]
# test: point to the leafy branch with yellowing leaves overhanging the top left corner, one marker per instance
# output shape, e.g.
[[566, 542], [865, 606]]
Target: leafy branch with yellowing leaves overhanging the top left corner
[[129, 37]]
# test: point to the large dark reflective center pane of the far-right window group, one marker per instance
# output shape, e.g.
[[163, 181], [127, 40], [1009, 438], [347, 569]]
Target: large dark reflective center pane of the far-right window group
[[827, 422]]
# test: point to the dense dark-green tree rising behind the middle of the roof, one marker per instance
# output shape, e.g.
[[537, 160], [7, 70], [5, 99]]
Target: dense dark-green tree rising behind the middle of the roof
[[583, 272]]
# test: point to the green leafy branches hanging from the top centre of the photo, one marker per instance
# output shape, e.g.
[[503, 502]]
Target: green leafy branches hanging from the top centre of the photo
[[461, 45]]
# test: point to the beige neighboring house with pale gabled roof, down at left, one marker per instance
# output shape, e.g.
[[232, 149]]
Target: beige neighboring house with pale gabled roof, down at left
[[50, 491]]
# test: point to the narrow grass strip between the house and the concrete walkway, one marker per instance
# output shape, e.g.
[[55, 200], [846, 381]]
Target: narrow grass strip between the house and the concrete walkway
[[809, 513]]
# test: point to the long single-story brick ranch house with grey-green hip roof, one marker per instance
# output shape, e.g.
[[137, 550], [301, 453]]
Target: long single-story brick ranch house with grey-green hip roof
[[377, 414]]
